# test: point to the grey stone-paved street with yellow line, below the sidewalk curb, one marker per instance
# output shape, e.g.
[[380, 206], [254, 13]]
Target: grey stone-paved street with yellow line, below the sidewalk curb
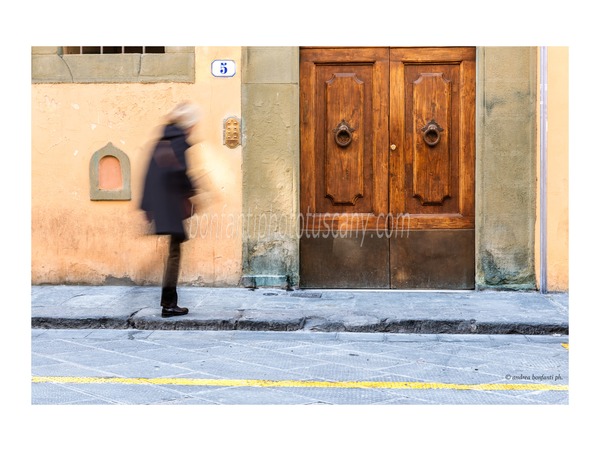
[[425, 368]]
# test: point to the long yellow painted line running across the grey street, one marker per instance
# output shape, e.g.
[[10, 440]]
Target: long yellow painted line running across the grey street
[[305, 384]]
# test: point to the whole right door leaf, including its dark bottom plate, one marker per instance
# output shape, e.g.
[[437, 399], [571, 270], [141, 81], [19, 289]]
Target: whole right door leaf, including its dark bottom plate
[[432, 171]]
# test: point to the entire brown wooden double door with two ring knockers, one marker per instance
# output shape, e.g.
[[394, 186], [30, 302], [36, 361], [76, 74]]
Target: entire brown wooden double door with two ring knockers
[[387, 168]]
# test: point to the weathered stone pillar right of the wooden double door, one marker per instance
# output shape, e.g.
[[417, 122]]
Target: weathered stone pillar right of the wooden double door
[[505, 167]]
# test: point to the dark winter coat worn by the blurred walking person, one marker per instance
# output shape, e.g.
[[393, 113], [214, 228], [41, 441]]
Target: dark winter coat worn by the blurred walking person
[[167, 185]]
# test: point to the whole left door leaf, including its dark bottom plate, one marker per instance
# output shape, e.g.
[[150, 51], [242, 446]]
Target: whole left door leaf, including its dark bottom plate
[[344, 166]]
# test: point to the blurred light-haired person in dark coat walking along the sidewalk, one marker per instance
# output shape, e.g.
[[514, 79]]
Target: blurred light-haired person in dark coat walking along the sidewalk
[[166, 198]]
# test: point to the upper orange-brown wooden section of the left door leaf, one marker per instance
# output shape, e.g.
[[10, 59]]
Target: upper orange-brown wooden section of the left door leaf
[[344, 137]]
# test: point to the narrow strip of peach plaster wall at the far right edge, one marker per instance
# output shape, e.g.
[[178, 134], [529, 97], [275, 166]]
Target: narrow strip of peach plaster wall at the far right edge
[[557, 187]]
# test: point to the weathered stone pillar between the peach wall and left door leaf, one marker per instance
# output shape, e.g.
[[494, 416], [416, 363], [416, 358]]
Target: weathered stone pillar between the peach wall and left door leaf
[[270, 105]]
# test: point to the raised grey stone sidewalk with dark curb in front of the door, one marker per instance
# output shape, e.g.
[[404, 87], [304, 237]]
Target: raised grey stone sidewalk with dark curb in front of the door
[[451, 312]]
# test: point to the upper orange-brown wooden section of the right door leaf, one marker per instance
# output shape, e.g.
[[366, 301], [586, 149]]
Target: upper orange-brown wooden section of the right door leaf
[[432, 116]]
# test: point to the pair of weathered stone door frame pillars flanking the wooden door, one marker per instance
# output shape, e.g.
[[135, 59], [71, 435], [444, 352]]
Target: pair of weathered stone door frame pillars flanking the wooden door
[[506, 93]]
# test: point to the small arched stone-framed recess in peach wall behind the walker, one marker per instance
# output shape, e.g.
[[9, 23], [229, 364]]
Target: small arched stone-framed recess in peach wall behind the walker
[[110, 174]]
